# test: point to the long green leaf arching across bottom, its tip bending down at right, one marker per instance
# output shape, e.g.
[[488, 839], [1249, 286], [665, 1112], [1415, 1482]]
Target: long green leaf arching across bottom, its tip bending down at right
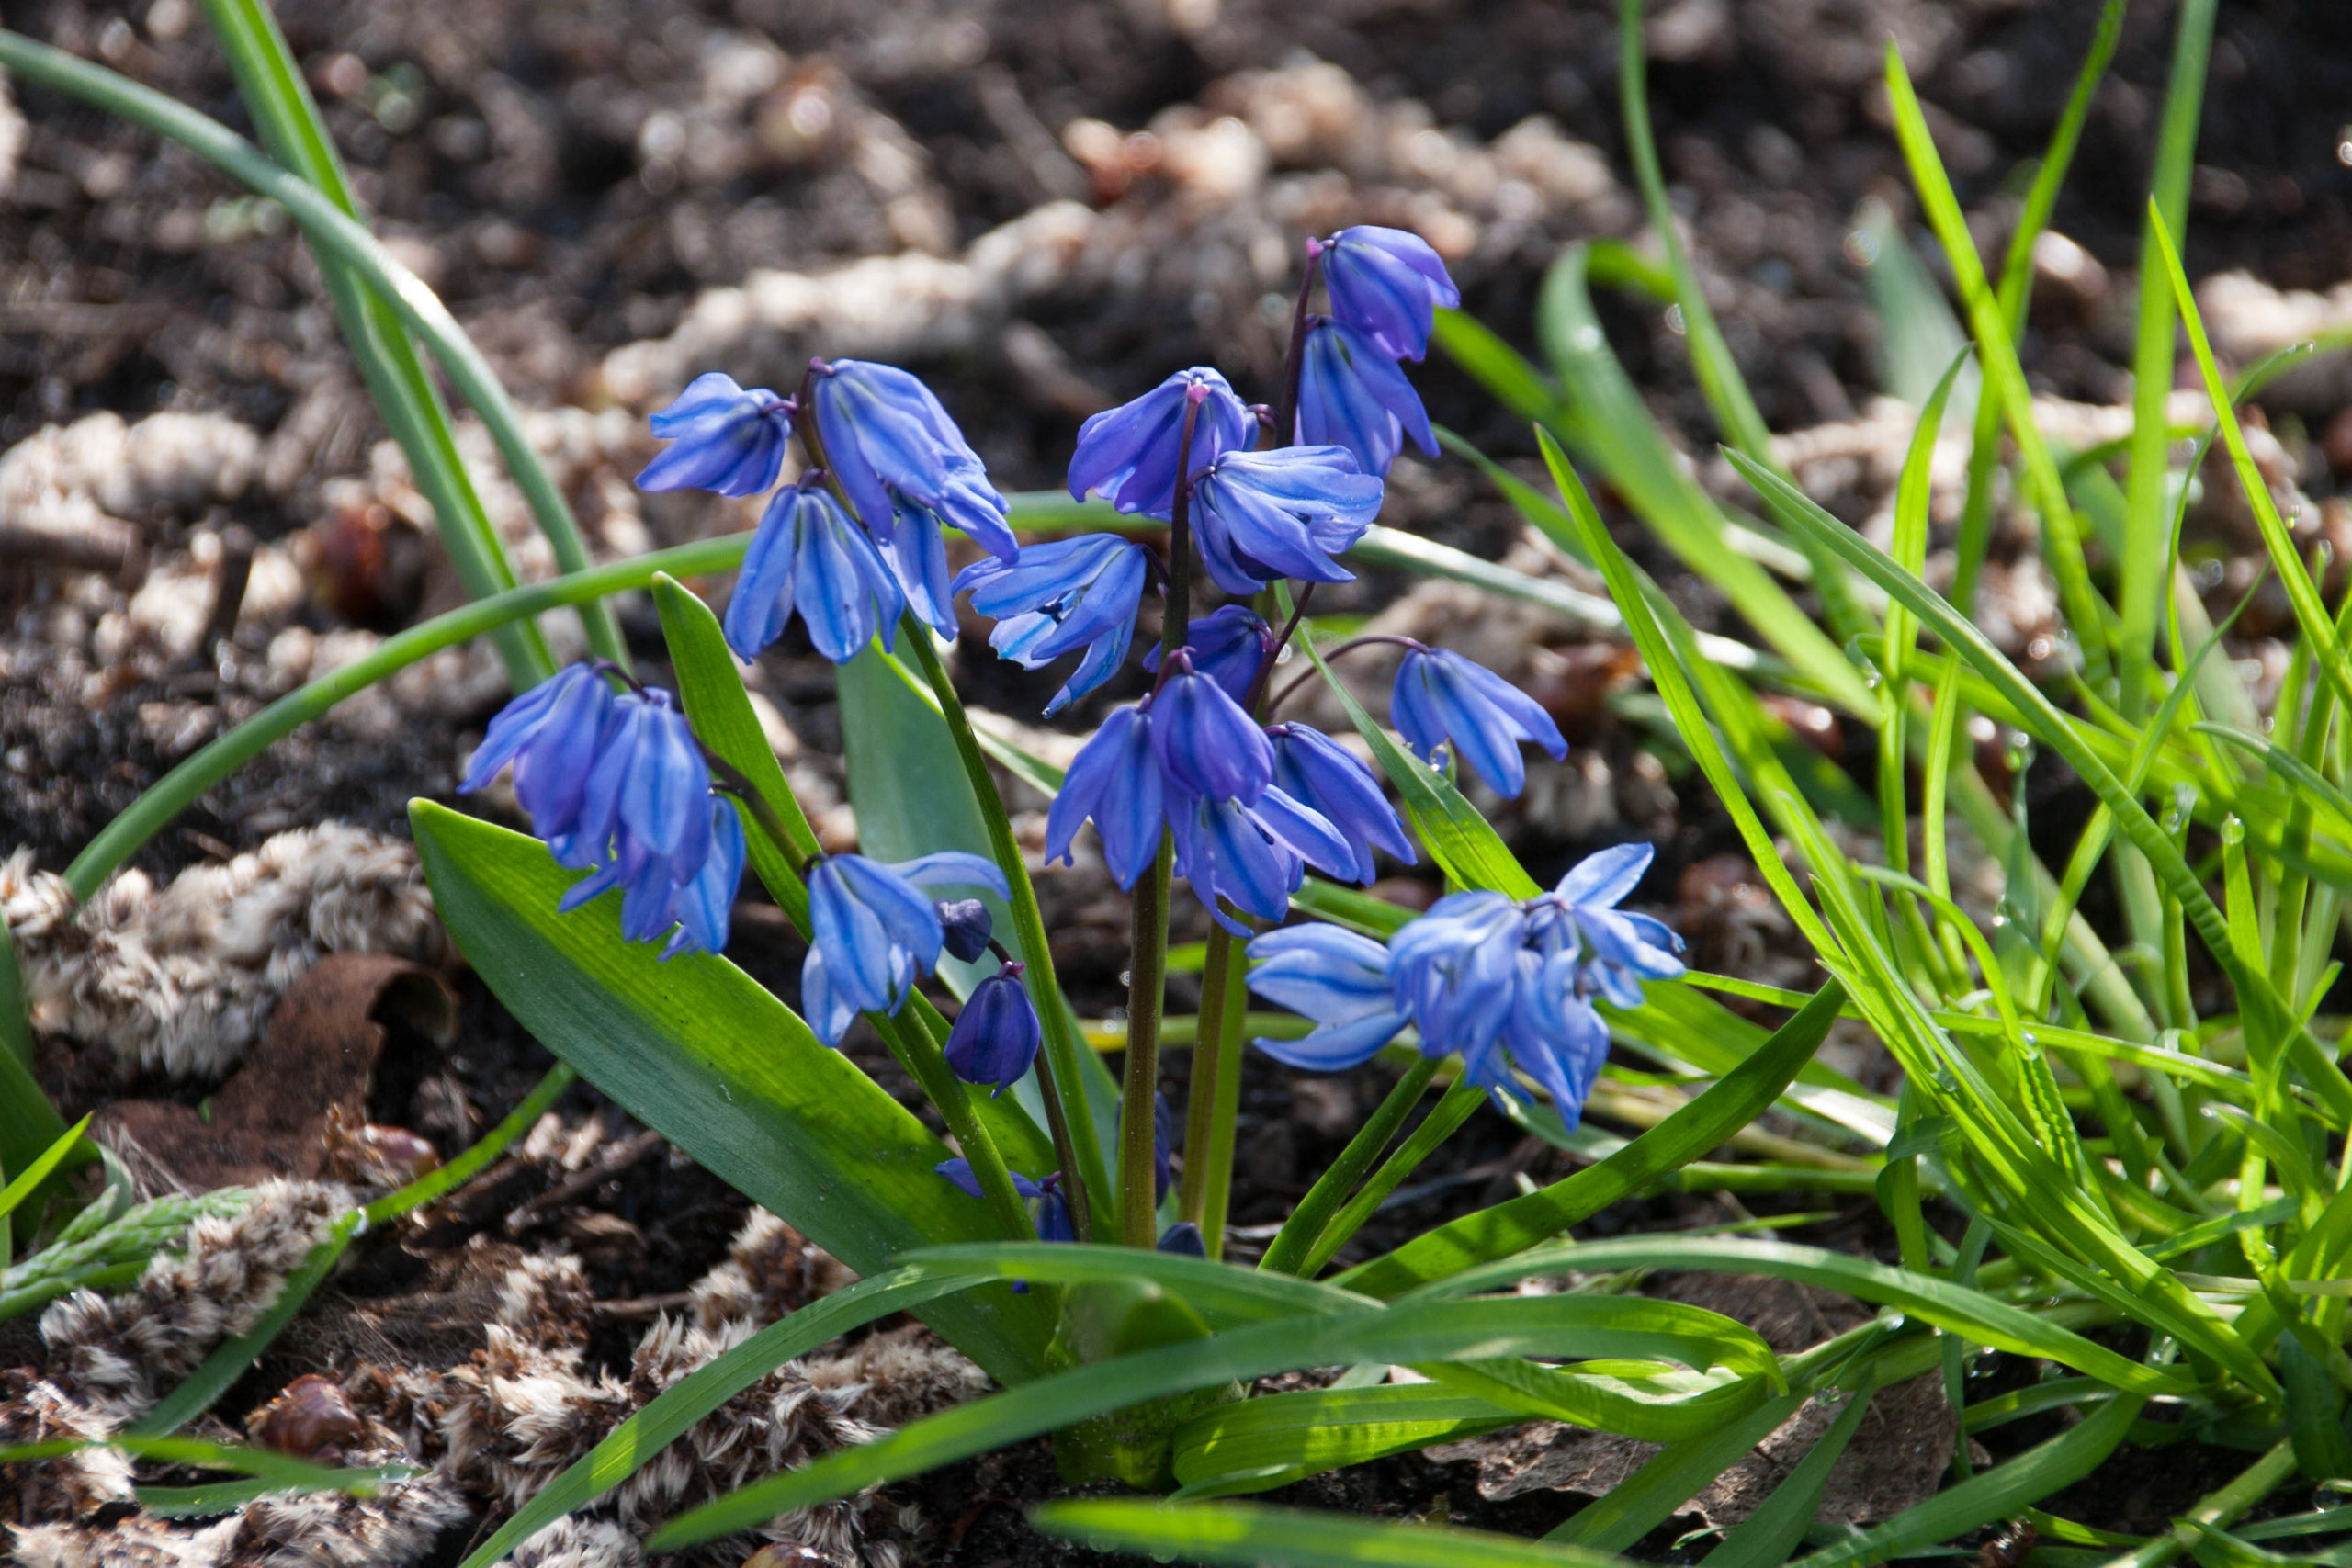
[[1415, 1336]]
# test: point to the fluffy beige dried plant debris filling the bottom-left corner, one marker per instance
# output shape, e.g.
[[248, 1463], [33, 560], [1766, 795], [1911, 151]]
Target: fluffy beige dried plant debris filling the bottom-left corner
[[488, 1433]]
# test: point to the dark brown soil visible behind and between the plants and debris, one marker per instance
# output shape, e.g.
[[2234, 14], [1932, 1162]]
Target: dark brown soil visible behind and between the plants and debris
[[559, 175]]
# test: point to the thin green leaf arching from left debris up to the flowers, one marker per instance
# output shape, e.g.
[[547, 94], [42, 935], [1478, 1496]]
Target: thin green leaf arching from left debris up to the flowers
[[182, 786]]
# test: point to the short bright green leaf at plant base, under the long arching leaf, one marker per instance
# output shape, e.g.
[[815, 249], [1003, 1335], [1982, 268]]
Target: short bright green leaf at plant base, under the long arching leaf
[[1285, 1438]]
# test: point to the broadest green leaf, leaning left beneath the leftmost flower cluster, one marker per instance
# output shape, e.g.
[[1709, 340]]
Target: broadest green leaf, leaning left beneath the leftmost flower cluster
[[704, 1057]]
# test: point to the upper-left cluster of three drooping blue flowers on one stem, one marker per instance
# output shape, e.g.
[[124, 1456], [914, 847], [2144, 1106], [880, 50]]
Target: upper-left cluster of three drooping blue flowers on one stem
[[846, 570]]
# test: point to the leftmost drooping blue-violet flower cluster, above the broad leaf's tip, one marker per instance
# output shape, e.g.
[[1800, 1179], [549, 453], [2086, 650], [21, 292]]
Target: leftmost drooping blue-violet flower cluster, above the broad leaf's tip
[[617, 786]]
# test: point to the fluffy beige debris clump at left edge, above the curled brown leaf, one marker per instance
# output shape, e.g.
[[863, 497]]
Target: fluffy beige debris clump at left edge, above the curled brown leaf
[[180, 979]]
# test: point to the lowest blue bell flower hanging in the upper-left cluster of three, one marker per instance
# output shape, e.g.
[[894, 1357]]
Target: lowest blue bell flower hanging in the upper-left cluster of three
[[808, 556]]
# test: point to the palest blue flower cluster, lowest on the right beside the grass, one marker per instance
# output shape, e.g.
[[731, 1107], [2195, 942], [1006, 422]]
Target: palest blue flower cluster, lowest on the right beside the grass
[[1497, 981]]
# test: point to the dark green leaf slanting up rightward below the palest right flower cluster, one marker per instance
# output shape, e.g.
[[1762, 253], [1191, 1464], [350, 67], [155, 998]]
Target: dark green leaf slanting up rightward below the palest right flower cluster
[[1528, 1221]]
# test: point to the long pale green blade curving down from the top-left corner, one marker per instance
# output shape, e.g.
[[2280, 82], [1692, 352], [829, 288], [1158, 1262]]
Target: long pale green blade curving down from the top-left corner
[[342, 241]]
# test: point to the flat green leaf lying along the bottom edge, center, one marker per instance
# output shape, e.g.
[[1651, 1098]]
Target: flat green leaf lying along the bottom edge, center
[[1257, 1536]]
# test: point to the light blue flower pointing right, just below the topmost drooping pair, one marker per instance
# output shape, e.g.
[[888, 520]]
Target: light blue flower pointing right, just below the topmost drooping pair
[[1264, 516]]
